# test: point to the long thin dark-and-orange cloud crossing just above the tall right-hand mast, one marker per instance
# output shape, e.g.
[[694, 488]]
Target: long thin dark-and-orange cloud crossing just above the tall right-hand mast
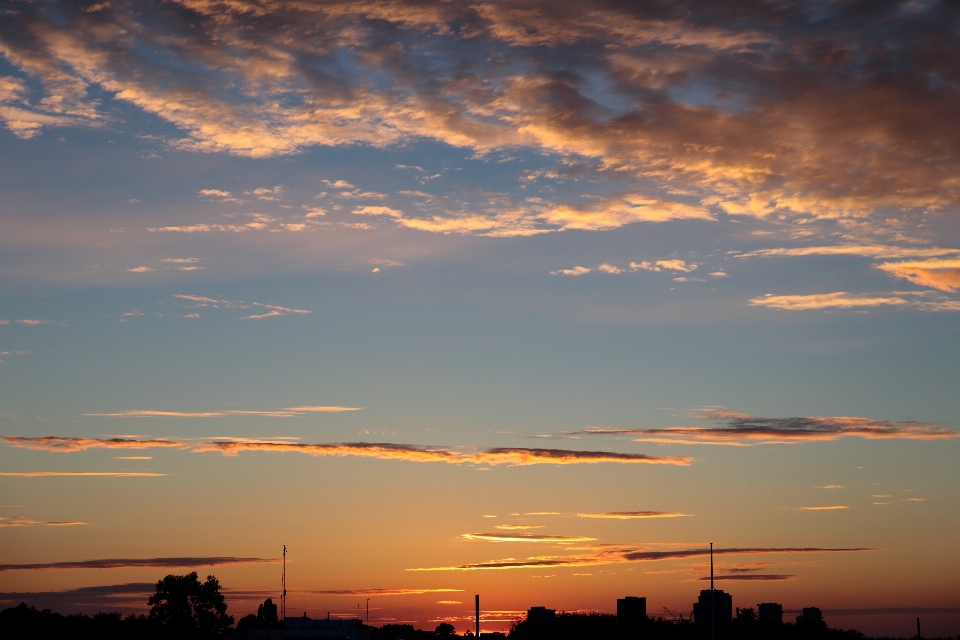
[[626, 555]]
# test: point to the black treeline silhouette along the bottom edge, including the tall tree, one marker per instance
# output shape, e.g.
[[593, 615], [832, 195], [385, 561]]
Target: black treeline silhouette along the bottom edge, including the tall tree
[[183, 608]]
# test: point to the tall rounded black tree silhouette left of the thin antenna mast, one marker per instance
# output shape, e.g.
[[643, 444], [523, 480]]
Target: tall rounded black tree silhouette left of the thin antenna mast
[[182, 607]]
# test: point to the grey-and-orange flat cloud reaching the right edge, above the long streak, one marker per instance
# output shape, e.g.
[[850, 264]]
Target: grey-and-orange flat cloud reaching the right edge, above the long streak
[[741, 430]]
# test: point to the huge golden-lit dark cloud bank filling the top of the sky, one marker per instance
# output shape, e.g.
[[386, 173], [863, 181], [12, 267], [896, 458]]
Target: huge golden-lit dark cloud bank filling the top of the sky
[[767, 146]]
